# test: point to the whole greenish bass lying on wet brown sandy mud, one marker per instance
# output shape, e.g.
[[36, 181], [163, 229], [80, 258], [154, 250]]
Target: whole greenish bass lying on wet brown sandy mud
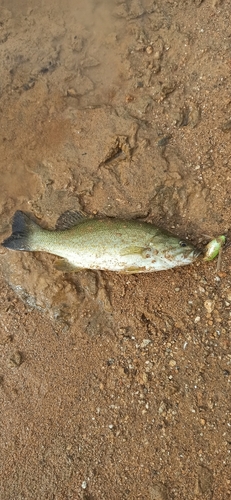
[[81, 242]]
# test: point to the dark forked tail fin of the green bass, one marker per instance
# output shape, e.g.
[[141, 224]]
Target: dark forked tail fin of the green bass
[[22, 230]]
